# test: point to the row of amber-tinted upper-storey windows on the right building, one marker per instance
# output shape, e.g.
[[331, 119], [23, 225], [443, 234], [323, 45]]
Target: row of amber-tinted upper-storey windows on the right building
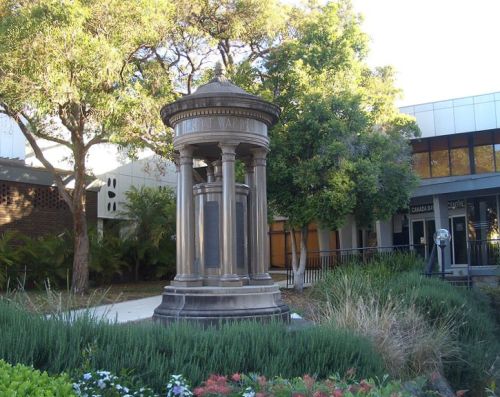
[[455, 155]]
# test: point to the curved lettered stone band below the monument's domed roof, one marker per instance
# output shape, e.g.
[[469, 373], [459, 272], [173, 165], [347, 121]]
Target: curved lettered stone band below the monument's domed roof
[[220, 123]]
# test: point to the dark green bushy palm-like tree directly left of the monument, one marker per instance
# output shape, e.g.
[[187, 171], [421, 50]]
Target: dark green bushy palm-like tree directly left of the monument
[[151, 213]]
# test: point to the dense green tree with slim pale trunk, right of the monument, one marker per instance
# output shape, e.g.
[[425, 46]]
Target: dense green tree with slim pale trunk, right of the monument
[[340, 147]]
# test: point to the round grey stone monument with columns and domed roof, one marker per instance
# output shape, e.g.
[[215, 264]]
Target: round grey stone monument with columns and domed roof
[[222, 242]]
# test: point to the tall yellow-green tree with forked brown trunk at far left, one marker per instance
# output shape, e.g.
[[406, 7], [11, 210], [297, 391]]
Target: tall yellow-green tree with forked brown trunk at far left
[[80, 73]]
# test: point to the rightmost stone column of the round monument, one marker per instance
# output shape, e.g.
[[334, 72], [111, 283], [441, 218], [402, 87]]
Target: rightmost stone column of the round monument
[[261, 275]]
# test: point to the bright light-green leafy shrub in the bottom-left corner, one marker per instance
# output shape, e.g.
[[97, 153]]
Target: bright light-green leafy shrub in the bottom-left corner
[[23, 381]]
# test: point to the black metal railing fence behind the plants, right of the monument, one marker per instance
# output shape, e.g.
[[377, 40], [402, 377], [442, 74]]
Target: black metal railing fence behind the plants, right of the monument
[[318, 263]]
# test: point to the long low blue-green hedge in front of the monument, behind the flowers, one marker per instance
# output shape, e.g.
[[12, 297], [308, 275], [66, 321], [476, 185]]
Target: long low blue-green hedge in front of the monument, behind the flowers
[[151, 351]]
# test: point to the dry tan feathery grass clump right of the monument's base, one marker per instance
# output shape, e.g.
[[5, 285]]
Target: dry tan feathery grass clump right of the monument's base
[[409, 345]]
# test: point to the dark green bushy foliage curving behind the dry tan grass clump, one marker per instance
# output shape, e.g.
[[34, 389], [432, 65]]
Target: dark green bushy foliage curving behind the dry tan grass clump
[[467, 312]]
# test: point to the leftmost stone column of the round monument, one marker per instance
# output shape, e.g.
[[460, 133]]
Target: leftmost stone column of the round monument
[[186, 275]]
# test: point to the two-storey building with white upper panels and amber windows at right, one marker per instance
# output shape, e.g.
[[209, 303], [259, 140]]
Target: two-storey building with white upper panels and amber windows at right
[[458, 160]]
